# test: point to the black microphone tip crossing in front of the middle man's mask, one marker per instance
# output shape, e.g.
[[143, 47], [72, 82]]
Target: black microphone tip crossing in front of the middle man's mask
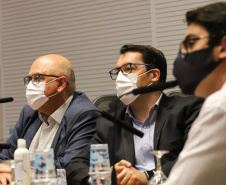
[[156, 87]]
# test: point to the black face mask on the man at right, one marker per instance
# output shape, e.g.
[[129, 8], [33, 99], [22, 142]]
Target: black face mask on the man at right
[[191, 70]]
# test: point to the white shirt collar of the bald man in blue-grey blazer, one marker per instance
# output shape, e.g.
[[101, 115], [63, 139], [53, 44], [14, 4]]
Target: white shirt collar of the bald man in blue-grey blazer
[[58, 115]]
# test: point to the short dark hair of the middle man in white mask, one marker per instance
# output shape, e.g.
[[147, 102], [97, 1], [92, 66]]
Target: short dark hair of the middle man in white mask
[[151, 56]]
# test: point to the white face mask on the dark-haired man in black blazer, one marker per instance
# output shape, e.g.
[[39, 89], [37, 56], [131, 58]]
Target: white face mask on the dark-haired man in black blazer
[[125, 84]]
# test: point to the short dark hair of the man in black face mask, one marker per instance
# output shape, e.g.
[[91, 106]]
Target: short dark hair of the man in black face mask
[[212, 17]]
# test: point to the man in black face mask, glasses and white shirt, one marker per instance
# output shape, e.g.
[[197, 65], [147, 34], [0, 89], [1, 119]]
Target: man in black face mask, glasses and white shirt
[[200, 69]]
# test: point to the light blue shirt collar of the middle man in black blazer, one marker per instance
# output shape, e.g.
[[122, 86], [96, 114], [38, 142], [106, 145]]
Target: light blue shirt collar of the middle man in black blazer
[[151, 117]]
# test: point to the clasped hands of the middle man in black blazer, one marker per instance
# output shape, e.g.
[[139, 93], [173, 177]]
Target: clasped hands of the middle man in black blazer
[[126, 174]]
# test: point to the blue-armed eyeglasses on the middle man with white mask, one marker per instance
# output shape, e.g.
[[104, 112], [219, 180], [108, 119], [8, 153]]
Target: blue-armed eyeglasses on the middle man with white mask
[[125, 69]]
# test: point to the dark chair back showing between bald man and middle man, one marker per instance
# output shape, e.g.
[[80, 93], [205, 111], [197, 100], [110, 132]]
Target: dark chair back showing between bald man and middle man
[[107, 103]]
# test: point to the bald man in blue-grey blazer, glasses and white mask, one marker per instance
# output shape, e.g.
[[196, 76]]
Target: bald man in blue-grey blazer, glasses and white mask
[[53, 105]]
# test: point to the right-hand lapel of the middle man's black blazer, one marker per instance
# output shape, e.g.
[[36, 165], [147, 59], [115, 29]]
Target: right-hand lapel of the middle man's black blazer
[[162, 115]]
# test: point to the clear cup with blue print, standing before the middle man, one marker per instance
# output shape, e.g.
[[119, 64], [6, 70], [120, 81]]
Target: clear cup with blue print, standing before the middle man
[[99, 171]]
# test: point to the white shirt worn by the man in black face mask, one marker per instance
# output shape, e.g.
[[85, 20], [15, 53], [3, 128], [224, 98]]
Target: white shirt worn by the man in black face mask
[[203, 159]]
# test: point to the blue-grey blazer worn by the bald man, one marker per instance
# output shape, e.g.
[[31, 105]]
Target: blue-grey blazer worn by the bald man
[[83, 130]]
